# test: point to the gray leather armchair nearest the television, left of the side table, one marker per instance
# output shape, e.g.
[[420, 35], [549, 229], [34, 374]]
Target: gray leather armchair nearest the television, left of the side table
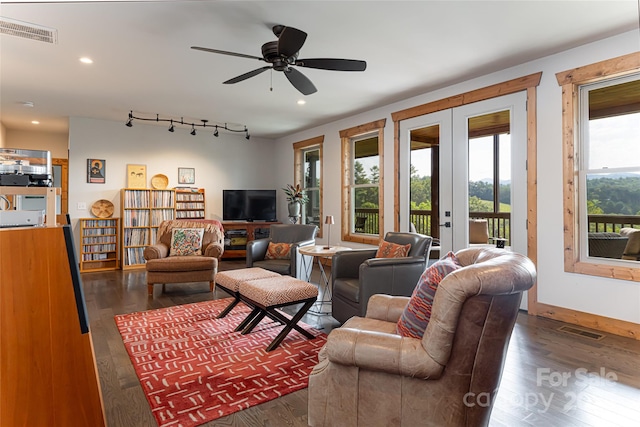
[[296, 234]]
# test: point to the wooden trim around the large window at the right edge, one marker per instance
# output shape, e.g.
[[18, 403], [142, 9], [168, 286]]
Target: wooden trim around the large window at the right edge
[[570, 81]]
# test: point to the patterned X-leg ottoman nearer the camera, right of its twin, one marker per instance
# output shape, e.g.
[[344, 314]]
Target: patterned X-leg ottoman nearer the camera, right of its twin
[[266, 295]]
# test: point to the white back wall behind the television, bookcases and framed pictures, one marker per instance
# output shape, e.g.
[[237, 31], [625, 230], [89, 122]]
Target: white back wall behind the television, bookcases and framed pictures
[[226, 162]]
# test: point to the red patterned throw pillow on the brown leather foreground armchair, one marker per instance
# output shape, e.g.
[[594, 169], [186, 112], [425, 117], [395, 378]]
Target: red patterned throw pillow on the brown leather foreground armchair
[[416, 315]]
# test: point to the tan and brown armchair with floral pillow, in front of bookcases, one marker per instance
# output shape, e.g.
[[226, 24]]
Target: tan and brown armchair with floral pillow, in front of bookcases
[[162, 268]]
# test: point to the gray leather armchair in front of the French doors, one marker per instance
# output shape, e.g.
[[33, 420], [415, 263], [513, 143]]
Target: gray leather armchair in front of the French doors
[[357, 275]]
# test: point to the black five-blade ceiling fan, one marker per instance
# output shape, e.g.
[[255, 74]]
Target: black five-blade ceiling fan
[[282, 54]]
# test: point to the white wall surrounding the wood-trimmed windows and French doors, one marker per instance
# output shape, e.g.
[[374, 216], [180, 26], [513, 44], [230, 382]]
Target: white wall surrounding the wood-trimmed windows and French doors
[[616, 299]]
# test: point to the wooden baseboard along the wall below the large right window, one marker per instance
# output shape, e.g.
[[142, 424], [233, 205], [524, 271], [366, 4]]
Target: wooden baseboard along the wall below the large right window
[[592, 321]]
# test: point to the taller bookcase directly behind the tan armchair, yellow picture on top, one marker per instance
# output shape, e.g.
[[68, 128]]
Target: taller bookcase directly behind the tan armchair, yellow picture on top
[[142, 212]]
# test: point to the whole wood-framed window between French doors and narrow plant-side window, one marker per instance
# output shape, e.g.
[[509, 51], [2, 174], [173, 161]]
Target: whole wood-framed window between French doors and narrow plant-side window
[[362, 177]]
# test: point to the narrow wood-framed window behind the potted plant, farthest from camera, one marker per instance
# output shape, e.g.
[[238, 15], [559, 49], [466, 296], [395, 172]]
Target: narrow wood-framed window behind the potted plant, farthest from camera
[[308, 172]]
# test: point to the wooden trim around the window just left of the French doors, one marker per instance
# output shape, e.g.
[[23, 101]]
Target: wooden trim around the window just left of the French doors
[[345, 136]]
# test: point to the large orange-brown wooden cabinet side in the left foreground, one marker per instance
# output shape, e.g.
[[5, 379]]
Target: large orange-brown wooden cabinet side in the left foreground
[[48, 373]]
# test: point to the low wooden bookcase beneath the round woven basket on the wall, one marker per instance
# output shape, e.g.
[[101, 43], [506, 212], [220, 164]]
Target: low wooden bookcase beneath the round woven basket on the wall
[[99, 244]]
